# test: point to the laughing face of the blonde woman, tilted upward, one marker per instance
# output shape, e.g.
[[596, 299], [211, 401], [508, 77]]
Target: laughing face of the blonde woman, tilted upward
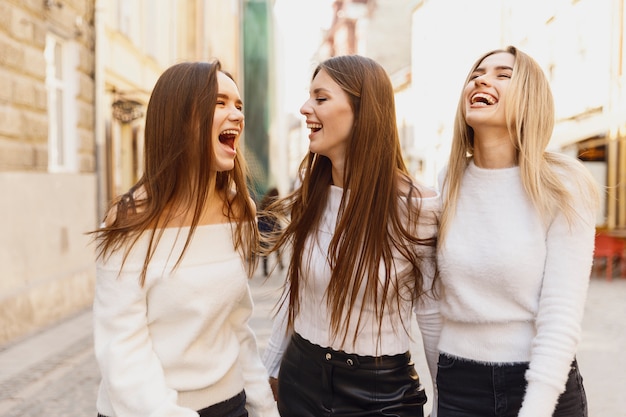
[[485, 92]]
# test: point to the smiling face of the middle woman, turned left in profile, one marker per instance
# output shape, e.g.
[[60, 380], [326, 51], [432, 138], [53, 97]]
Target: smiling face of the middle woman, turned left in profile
[[330, 117]]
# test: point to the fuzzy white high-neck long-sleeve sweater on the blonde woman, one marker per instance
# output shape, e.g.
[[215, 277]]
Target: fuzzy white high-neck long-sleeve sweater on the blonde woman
[[514, 289]]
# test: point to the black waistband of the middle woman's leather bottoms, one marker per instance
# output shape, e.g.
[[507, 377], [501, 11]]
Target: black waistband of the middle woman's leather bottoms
[[349, 360]]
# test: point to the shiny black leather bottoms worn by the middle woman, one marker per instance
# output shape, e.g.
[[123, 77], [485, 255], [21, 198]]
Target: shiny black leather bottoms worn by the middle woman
[[321, 382]]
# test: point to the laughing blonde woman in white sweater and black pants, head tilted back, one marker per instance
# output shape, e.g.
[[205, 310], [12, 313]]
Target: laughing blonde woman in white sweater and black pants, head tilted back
[[514, 253]]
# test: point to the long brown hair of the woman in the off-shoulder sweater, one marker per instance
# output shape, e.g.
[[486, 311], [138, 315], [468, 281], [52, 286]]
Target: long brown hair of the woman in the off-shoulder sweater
[[178, 156]]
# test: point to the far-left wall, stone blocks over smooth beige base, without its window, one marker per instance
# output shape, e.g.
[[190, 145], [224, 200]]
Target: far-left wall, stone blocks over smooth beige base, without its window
[[46, 267]]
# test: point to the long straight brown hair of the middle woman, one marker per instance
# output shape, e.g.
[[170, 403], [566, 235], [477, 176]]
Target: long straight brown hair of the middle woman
[[371, 221]]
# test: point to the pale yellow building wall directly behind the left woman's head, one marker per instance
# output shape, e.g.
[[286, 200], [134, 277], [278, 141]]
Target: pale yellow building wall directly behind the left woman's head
[[140, 40]]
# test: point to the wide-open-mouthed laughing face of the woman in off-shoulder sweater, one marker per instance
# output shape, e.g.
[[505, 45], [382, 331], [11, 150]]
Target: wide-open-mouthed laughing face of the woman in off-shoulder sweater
[[228, 122]]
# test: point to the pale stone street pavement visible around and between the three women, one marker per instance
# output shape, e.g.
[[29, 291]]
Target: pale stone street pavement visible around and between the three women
[[54, 373]]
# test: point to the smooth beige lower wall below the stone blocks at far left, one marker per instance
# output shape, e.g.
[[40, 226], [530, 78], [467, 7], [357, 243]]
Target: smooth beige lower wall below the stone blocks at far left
[[46, 263]]
